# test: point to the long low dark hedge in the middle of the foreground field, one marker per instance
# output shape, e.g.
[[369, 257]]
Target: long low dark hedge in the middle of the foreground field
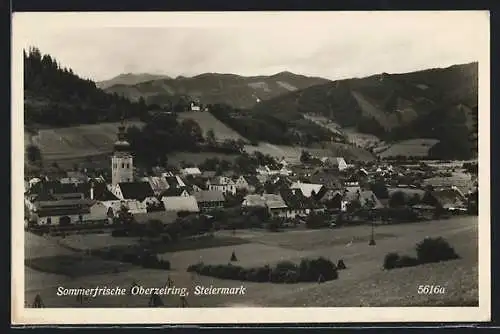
[[320, 269]]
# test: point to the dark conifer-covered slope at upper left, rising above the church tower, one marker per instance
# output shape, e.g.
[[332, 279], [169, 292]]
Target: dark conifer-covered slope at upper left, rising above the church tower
[[55, 96]]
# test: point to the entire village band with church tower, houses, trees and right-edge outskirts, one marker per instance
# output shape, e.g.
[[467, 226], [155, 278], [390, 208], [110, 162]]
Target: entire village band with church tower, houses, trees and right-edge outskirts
[[317, 192]]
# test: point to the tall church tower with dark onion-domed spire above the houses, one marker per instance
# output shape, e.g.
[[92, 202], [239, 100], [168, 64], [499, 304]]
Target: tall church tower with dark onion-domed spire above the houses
[[122, 162]]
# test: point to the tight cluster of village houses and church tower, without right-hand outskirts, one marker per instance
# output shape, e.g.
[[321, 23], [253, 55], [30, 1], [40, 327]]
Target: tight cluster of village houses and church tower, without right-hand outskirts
[[285, 191]]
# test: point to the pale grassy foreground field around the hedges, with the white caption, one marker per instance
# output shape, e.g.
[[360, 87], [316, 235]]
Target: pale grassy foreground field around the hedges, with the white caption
[[363, 283]]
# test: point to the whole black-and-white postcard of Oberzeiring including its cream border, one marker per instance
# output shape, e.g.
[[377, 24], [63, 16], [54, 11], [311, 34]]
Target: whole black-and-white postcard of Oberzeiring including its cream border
[[282, 166]]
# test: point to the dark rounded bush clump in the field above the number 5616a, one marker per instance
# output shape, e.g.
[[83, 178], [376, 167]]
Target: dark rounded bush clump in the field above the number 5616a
[[429, 250]]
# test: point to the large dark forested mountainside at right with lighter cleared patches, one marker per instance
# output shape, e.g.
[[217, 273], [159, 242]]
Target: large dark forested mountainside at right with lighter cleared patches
[[436, 103]]
